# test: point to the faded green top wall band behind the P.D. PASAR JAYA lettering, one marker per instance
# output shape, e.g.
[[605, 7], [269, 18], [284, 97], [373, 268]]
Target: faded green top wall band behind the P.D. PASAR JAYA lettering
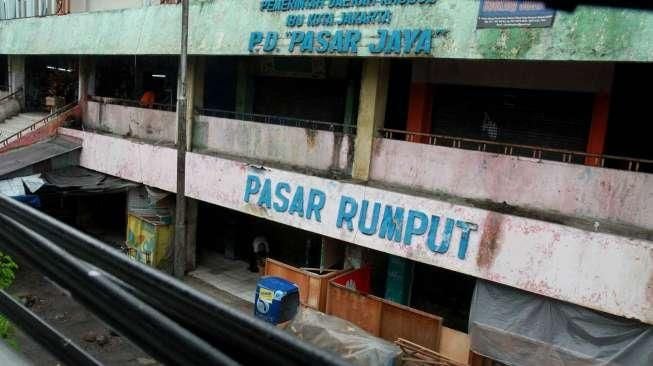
[[223, 28]]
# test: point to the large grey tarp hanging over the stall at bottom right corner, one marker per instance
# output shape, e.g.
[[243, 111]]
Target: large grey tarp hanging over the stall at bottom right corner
[[520, 328]]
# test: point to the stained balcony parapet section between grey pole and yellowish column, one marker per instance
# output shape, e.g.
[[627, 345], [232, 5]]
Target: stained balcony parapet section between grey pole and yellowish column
[[298, 147]]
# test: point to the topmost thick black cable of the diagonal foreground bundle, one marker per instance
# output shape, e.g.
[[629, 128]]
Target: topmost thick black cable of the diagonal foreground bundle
[[242, 337]]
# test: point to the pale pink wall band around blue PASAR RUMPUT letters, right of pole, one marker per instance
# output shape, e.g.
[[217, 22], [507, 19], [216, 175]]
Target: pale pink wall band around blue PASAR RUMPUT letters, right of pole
[[604, 272]]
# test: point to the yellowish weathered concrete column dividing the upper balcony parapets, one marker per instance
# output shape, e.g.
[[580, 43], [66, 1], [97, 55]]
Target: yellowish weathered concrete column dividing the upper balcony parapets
[[371, 114]]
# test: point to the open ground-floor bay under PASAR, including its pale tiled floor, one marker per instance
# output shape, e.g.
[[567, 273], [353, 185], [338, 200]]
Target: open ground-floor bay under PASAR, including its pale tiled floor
[[232, 248]]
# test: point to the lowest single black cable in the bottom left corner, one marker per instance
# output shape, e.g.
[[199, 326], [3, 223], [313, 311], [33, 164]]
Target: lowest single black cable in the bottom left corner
[[49, 338]]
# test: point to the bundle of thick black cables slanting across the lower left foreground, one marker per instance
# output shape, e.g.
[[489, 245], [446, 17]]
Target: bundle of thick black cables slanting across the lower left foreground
[[138, 301]]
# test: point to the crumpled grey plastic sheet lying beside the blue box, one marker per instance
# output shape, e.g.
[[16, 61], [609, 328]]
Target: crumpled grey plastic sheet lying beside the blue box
[[343, 338]]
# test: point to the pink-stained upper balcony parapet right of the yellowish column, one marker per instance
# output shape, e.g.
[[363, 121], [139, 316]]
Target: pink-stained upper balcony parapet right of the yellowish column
[[575, 190]]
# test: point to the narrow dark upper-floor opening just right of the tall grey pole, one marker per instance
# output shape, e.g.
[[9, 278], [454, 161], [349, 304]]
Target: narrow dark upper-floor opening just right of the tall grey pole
[[221, 77]]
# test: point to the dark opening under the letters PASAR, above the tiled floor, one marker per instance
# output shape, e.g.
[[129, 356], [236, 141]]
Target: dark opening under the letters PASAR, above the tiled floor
[[231, 233]]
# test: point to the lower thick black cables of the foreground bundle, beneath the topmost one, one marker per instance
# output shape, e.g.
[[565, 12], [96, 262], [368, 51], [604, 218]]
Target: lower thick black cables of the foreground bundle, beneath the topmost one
[[161, 337]]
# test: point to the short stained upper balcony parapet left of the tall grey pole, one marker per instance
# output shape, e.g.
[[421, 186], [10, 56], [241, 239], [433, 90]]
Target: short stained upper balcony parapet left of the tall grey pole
[[142, 123]]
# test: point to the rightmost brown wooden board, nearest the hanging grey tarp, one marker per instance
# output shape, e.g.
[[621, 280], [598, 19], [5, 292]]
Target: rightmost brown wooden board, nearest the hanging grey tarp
[[400, 321]]
